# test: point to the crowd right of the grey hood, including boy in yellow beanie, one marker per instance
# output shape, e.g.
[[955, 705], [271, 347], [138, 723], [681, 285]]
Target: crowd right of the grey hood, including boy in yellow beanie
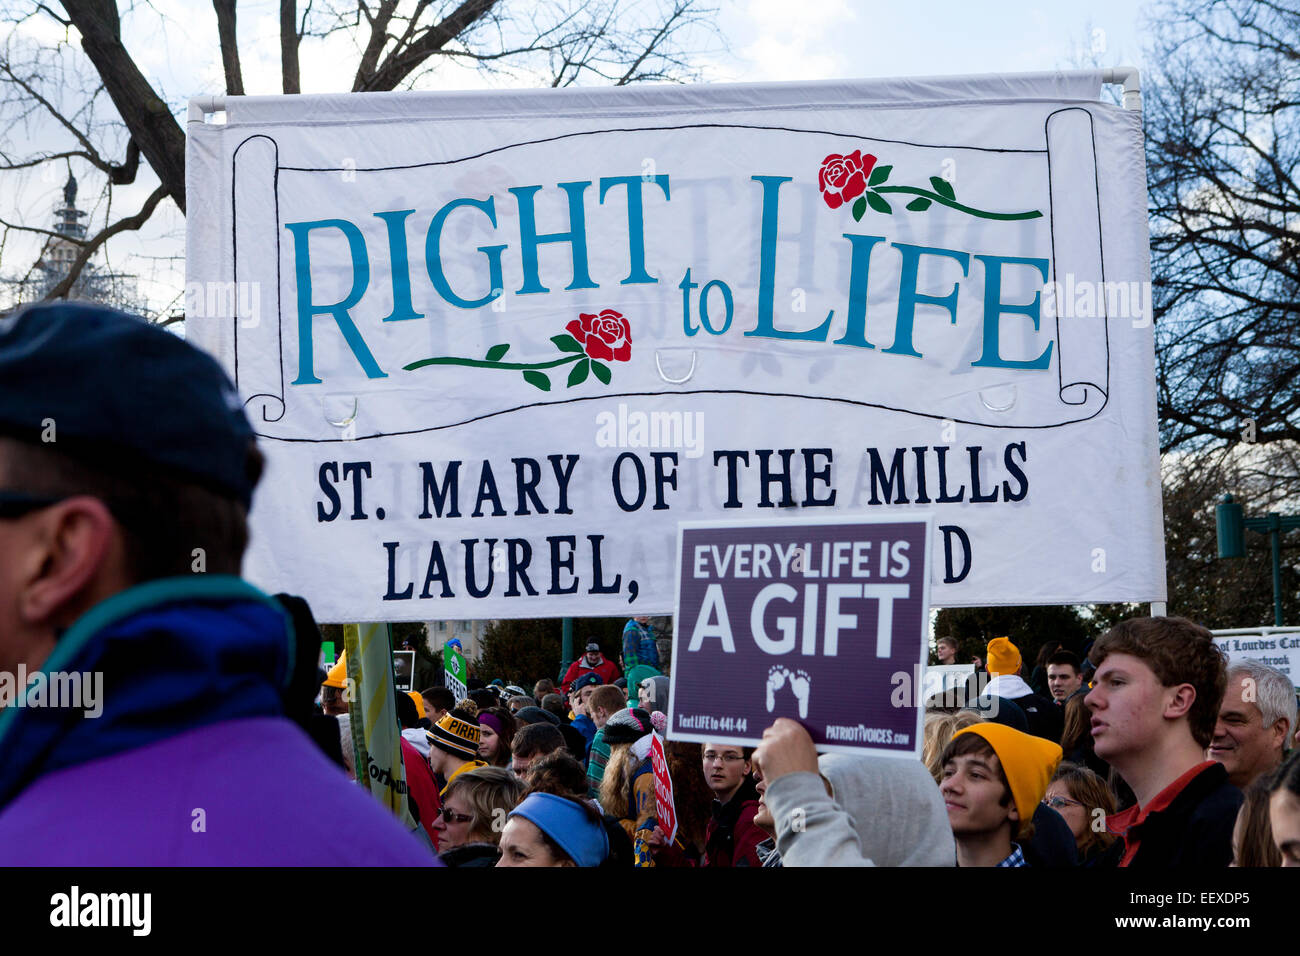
[[1150, 749]]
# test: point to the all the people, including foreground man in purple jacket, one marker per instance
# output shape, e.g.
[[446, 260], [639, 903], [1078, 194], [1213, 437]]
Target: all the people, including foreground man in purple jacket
[[216, 742]]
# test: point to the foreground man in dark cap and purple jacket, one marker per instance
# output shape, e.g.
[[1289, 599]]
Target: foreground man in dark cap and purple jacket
[[127, 474]]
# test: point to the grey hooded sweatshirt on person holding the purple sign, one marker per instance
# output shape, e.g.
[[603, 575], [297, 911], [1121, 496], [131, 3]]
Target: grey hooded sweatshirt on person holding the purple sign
[[886, 812]]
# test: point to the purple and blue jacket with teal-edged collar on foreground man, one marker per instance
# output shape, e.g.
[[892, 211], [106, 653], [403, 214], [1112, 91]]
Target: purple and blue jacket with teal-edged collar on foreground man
[[190, 762]]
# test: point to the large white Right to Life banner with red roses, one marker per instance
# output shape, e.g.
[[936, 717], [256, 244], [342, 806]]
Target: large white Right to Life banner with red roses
[[499, 345]]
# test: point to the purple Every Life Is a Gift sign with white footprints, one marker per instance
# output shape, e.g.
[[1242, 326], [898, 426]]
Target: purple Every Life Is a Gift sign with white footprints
[[820, 621]]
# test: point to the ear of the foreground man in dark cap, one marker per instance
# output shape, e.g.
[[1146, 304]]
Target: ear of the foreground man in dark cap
[[72, 543]]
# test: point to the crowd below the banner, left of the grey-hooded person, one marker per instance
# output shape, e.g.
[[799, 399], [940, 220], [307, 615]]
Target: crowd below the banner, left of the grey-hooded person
[[562, 776]]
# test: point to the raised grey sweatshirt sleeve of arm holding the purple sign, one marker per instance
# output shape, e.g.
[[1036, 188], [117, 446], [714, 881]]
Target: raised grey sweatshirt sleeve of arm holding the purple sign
[[812, 830]]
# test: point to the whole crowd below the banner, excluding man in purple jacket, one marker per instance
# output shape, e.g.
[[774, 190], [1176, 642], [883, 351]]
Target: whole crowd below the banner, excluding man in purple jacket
[[1149, 752]]
